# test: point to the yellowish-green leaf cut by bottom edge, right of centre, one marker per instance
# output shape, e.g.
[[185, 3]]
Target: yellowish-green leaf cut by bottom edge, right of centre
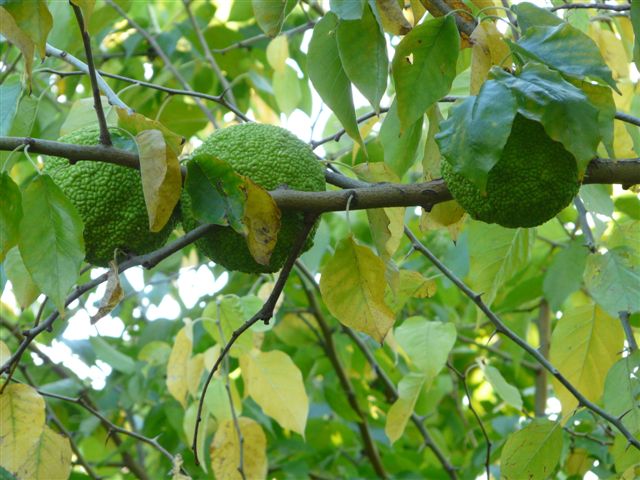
[[532, 452]]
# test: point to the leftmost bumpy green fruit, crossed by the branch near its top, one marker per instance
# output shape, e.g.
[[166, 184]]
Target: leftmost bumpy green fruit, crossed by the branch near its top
[[109, 199]]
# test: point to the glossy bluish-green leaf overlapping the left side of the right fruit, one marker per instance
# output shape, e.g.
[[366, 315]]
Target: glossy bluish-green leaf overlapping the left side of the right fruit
[[474, 135]]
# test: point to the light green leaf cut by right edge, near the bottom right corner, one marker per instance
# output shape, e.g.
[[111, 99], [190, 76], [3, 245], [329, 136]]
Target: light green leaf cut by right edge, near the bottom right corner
[[622, 391]]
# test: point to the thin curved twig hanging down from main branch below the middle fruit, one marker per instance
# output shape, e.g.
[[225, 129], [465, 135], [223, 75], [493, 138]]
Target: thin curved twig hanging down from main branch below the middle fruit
[[265, 313]]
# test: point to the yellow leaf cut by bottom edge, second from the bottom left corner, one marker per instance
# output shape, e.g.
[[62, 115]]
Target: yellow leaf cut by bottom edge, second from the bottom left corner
[[48, 459]]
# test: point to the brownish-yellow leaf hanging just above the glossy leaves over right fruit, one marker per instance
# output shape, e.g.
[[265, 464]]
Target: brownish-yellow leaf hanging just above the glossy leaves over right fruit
[[488, 49]]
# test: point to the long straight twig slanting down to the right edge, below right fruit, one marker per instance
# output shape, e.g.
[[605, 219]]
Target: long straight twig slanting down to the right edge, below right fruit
[[502, 328]]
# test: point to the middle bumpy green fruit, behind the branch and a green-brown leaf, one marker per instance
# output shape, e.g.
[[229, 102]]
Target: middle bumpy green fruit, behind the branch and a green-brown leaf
[[271, 157]]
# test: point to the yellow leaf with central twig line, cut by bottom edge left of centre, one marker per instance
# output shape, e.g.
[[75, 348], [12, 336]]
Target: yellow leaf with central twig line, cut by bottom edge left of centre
[[225, 450]]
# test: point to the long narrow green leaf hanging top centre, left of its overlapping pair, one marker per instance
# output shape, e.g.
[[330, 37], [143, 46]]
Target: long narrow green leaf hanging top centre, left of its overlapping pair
[[328, 76]]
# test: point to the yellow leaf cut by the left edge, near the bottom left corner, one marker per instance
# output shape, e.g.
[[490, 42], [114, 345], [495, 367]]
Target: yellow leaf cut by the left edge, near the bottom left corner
[[21, 421]]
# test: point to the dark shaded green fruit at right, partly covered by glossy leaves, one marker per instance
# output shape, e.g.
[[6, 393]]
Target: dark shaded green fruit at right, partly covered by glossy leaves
[[535, 178]]
